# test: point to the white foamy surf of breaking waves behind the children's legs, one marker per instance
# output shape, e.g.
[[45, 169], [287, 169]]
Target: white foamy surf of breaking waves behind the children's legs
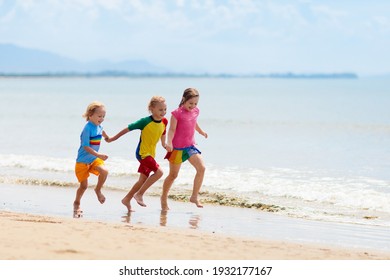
[[302, 193]]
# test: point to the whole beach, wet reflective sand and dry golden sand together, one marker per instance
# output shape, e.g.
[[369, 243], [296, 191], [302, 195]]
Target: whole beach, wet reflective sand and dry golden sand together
[[216, 232]]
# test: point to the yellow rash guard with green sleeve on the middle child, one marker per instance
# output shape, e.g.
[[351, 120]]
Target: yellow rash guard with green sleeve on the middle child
[[151, 132]]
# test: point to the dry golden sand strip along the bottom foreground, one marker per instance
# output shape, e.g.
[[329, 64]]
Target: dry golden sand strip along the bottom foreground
[[31, 237]]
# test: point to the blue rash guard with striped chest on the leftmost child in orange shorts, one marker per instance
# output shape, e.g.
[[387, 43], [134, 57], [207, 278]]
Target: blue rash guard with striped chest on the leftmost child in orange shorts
[[91, 136]]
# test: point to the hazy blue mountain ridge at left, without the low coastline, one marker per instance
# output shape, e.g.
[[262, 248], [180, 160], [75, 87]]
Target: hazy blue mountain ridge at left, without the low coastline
[[18, 60]]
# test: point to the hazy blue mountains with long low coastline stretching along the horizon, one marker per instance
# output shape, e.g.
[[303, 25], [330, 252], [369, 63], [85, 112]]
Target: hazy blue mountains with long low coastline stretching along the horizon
[[19, 61]]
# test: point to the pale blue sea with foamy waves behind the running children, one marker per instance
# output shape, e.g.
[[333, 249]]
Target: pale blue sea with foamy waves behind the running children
[[316, 149]]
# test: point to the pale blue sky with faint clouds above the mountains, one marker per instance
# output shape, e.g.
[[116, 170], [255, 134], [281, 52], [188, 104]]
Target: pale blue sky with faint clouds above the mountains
[[236, 36]]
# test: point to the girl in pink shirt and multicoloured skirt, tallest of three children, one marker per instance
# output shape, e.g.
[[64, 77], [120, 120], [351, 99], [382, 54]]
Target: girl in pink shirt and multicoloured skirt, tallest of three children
[[181, 145]]
